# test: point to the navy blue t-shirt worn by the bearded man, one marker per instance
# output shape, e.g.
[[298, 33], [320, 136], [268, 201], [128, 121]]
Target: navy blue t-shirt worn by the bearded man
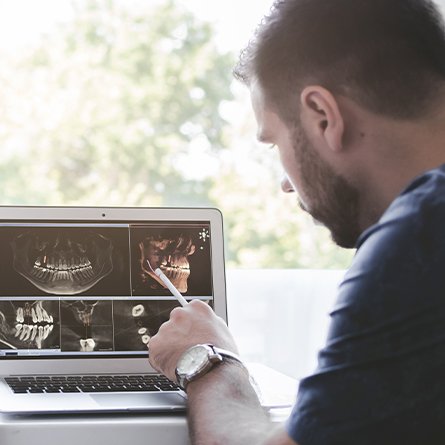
[[381, 375]]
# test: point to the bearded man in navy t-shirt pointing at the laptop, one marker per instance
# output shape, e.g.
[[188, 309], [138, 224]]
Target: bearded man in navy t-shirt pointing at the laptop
[[352, 93]]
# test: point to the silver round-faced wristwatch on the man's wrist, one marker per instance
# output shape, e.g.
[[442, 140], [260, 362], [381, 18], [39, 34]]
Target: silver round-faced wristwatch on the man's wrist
[[198, 361]]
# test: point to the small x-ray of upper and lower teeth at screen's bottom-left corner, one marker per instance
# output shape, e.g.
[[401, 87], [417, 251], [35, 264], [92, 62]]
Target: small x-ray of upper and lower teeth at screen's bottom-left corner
[[32, 324]]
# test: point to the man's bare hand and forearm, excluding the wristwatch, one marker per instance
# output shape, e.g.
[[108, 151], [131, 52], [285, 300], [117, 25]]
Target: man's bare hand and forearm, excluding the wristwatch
[[223, 407]]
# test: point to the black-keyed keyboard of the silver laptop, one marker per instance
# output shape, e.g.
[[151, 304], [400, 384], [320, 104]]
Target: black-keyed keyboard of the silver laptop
[[89, 383]]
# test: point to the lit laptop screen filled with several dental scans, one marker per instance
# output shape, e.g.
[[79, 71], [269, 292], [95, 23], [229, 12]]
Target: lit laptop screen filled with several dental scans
[[87, 289]]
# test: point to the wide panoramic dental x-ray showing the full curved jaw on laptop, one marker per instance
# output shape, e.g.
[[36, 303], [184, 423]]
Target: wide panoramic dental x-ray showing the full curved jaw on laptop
[[64, 261]]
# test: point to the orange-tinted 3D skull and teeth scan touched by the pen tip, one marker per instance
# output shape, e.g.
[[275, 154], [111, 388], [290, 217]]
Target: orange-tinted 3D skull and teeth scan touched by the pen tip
[[182, 253]]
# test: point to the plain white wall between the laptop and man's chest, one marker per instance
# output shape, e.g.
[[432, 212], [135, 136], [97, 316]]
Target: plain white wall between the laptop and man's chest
[[280, 317]]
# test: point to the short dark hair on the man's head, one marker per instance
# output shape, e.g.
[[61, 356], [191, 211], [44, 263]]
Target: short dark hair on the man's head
[[386, 55]]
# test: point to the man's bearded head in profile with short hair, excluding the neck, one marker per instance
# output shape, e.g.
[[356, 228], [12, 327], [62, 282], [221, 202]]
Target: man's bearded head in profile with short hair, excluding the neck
[[310, 57]]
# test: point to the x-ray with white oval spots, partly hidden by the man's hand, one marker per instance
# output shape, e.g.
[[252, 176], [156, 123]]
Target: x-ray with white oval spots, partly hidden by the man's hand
[[135, 322]]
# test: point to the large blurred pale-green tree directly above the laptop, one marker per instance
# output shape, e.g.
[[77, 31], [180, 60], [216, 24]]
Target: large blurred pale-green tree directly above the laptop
[[111, 103]]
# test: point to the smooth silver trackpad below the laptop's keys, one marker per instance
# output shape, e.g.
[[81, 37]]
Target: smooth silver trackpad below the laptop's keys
[[152, 401]]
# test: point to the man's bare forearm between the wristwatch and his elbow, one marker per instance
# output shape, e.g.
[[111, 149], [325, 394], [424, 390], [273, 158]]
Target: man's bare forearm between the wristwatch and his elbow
[[223, 408]]
